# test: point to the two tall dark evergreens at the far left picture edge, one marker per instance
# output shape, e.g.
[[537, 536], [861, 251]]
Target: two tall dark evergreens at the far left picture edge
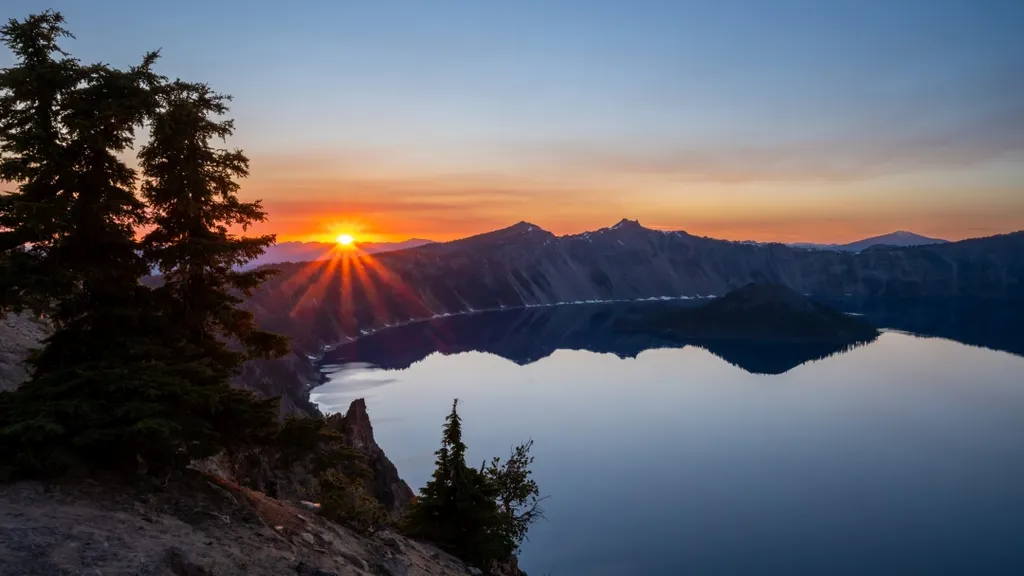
[[70, 253]]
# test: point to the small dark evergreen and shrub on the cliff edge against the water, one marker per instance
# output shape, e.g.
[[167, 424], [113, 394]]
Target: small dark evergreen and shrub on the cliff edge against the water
[[478, 516]]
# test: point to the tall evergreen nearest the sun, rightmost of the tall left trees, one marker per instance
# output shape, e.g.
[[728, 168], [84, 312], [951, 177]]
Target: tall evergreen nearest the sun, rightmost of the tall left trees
[[192, 192]]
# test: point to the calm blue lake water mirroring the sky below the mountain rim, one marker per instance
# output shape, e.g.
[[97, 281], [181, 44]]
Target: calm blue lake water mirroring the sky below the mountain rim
[[902, 457]]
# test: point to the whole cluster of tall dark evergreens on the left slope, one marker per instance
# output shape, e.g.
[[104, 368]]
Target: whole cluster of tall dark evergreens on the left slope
[[132, 378]]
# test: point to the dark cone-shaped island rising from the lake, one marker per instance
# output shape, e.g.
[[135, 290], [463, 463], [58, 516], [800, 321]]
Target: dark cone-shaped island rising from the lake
[[756, 312]]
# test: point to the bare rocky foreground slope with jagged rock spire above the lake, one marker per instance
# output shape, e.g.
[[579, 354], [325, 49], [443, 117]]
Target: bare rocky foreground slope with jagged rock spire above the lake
[[204, 524]]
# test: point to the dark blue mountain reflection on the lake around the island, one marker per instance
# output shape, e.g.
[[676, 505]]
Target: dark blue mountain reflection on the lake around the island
[[527, 336]]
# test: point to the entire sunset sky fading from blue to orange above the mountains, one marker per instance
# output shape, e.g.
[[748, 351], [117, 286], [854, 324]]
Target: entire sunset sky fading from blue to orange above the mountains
[[767, 120]]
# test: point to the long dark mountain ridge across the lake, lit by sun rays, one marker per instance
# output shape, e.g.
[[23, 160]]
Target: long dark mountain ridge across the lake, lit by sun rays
[[322, 305]]
